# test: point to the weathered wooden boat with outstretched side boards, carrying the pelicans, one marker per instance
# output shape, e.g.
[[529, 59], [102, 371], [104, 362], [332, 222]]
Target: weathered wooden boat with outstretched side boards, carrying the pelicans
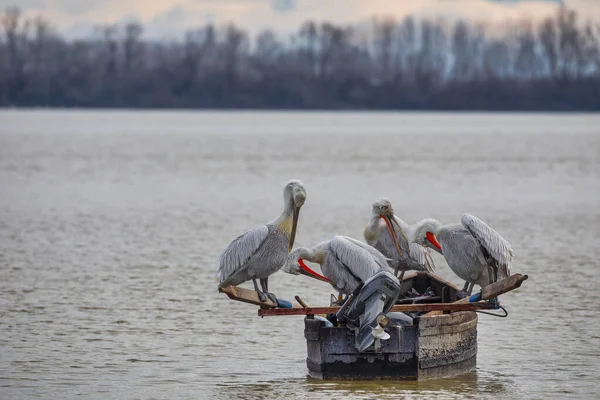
[[440, 343]]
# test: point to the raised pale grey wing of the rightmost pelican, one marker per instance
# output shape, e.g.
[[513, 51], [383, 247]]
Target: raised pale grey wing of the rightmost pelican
[[496, 246]]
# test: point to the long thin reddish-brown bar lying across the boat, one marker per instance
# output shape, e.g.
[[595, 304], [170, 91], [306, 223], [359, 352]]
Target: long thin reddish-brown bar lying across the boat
[[397, 308]]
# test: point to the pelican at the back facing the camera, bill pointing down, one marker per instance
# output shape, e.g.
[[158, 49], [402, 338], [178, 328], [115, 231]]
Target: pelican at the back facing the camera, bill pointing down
[[391, 239]]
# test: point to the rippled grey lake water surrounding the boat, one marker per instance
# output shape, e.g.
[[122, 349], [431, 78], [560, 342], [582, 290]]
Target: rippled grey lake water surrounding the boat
[[110, 223]]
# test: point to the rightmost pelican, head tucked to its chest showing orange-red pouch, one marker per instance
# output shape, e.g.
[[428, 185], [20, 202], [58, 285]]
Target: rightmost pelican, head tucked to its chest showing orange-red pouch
[[474, 251]]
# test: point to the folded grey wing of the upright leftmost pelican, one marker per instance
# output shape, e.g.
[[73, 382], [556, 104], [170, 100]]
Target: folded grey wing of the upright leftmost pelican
[[237, 254]]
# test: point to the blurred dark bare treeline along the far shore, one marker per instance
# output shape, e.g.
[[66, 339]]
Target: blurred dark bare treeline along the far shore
[[381, 64]]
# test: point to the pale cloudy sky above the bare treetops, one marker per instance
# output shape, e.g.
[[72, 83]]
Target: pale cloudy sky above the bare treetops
[[164, 18]]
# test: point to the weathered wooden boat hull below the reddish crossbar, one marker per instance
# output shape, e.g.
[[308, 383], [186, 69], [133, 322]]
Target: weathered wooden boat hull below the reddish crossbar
[[438, 346]]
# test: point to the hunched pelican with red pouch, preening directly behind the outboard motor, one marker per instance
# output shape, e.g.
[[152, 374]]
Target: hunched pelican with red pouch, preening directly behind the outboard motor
[[345, 262]]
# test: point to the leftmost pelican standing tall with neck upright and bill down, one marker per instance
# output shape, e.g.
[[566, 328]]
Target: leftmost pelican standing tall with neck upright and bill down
[[262, 251]]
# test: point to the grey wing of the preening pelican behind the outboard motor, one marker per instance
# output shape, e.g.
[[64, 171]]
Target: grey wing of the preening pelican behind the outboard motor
[[354, 262]]
